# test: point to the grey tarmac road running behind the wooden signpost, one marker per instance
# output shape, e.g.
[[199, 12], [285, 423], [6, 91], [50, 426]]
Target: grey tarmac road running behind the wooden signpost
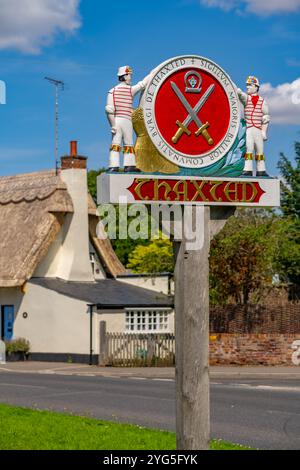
[[252, 410]]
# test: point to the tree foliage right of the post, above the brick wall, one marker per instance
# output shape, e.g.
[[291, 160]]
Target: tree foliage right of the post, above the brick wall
[[256, 245]]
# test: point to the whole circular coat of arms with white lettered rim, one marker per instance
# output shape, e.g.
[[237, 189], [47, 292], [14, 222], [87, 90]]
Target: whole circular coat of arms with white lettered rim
[[191, 111]]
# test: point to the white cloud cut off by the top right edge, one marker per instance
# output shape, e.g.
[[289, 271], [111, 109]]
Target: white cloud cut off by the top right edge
[[259, 7]]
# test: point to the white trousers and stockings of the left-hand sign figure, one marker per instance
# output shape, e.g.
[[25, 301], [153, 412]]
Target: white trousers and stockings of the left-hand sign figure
[[123, 135]]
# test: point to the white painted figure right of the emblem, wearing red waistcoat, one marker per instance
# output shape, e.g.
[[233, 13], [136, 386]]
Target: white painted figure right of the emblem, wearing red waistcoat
[[257, 120]]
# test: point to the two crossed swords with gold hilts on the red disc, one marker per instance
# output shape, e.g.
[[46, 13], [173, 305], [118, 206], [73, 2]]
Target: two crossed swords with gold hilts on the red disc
[[192, 115]]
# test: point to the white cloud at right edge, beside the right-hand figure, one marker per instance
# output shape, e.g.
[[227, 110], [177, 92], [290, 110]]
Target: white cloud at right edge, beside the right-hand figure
[[284, 102]]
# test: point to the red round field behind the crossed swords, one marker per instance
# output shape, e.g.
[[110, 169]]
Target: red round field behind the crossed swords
[[192, 83]]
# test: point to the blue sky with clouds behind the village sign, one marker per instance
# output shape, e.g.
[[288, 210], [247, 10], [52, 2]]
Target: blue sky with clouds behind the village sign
[[84, 42]]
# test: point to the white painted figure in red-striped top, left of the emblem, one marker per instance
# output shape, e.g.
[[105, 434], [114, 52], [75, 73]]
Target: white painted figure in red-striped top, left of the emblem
[[119, 111]]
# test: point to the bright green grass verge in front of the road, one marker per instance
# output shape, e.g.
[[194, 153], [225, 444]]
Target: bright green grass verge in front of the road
[[26, 429]]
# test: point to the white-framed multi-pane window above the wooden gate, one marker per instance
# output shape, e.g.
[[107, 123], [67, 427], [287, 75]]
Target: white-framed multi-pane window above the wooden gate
[[147, 321]]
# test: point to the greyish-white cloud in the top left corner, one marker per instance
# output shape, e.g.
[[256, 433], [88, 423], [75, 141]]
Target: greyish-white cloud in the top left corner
[[28, 25]]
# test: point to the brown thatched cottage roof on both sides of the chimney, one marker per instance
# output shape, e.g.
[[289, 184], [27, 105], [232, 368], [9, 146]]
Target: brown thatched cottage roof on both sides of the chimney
[[32, 211]]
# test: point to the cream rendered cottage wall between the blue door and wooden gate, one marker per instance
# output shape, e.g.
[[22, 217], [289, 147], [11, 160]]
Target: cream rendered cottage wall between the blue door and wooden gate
[[55, 323]]
